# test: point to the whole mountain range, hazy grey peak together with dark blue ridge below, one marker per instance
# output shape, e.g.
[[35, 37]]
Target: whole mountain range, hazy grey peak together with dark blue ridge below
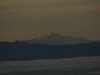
[[50, 46]]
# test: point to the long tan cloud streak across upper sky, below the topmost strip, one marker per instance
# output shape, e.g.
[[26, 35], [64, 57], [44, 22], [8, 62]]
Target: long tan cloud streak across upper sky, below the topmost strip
[[56, 10]]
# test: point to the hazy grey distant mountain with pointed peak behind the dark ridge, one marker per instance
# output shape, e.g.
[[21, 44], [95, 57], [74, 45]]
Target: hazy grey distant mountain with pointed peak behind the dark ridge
[[57, 39]]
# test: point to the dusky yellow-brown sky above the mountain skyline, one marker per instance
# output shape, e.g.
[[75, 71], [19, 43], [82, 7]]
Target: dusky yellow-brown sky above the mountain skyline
[[27, 19]]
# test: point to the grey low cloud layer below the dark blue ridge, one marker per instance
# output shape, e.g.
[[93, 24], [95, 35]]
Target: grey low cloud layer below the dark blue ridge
[[54, 66]]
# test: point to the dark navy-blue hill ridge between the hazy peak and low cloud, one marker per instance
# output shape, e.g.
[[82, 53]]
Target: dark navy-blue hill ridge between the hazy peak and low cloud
[[27, 51]]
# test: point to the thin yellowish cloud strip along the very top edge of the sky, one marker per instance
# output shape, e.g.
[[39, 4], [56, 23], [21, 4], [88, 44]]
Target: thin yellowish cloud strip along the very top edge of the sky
[[6, 2]]
